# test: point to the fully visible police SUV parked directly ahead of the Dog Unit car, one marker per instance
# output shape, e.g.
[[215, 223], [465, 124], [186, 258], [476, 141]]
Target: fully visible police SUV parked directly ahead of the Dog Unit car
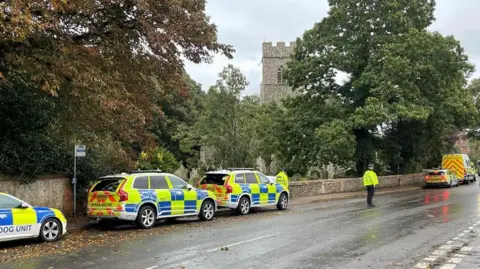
[[145, 196]]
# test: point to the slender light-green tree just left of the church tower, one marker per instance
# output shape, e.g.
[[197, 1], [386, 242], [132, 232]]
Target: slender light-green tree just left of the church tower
[[219, 127]]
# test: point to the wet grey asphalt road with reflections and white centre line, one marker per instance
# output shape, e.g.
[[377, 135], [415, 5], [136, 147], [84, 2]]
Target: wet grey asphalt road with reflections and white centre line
[[399, 232]]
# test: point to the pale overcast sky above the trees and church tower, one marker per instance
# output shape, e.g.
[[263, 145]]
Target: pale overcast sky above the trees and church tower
[[245, 24]]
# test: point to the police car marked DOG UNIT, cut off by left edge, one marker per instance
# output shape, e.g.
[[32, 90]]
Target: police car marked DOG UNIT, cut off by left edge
[[19, 220]]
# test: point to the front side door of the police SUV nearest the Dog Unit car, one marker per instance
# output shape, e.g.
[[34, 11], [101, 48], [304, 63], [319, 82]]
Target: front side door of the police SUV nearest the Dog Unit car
[[183, 201]]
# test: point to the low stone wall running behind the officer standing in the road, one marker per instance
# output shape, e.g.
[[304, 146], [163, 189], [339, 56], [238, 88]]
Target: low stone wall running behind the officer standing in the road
[[317, 187]]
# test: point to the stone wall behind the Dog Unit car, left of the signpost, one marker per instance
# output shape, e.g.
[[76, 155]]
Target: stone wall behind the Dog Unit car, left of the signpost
[[49, 191]]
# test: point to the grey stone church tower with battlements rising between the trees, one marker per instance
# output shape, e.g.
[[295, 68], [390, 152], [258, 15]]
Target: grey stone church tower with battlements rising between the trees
[[274, 60]]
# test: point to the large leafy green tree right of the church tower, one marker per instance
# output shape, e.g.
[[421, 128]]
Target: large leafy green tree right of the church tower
[[397, 74]]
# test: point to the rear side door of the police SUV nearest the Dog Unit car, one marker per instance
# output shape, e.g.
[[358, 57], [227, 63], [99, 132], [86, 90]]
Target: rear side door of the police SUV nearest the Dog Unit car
[[160, 186]]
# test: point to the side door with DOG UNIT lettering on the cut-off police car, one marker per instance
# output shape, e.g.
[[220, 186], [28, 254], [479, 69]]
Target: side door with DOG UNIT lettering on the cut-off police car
[[15, 221]]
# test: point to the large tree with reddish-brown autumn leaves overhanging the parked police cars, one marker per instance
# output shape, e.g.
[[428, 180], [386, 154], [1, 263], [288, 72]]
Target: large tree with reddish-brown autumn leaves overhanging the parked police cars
[[108, 64]]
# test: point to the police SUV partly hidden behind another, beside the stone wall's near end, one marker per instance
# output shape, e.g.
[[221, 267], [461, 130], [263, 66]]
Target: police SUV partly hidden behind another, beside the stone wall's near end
[[243, 188]]
